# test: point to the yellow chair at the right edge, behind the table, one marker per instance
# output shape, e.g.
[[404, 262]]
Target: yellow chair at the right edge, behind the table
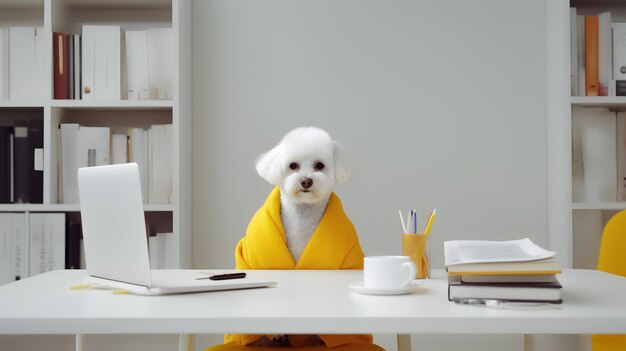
[[612, 259]]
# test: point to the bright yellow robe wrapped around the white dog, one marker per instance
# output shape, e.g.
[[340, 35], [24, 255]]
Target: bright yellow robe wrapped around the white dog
[[333, 245]]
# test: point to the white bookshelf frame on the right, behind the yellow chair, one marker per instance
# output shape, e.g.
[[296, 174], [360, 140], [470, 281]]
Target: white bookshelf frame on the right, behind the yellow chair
[[575, 228]]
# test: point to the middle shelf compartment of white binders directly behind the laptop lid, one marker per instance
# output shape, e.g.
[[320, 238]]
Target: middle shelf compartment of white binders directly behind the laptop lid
[[117, 135]]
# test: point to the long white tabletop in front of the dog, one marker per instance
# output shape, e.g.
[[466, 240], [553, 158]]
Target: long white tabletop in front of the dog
[[303, 302]]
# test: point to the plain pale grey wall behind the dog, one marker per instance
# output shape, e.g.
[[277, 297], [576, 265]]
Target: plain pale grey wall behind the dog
[[441, 103]]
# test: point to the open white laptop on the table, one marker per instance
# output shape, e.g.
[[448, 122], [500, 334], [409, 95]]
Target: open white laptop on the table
[[116, 244]]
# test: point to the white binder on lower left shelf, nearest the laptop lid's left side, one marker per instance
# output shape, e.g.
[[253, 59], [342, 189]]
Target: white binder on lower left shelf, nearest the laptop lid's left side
[[47, 242]]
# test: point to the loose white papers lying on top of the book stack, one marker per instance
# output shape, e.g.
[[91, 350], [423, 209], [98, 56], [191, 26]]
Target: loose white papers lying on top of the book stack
[[476, 251]]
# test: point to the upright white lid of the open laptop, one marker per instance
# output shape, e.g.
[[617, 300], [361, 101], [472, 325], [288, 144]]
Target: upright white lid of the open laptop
[[114, 230]]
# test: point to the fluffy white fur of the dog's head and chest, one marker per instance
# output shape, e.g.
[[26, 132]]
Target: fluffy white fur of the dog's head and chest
[[306, 165]]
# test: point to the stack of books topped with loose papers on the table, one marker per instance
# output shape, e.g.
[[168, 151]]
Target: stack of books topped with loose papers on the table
[[516, 270]]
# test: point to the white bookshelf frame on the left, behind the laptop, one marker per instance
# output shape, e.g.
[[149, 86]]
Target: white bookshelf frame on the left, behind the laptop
[[68, 16]]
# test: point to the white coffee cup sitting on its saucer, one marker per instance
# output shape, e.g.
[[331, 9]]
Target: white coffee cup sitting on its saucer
[[388, 272]]
